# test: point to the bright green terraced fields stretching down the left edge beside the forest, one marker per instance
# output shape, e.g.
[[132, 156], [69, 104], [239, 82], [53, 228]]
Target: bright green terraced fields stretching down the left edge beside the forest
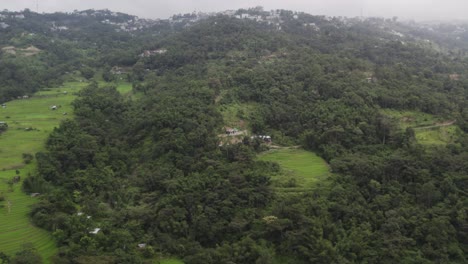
[[30, 121]]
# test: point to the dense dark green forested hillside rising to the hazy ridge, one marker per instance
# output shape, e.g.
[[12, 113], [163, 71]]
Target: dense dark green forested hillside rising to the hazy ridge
[[155, 181]]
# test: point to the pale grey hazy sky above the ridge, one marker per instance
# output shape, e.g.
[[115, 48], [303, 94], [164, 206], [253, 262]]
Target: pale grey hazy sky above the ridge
[[411, 9]]
